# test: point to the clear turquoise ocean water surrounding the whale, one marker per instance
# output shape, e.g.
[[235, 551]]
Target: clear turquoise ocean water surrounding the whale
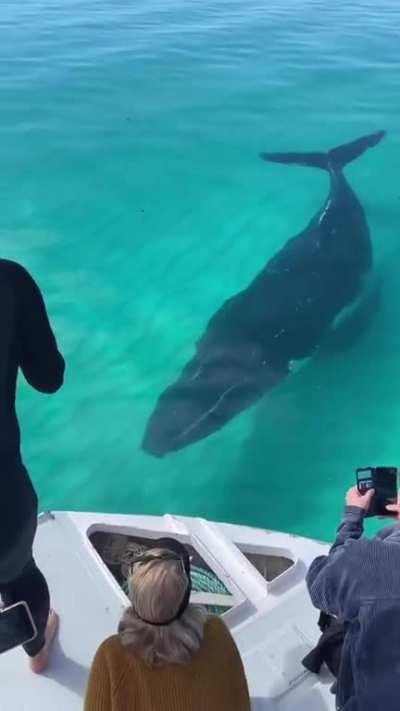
[[132, 189]]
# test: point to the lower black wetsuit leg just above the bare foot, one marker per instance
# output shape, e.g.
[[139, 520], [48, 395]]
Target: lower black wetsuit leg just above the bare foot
[[31, 587]]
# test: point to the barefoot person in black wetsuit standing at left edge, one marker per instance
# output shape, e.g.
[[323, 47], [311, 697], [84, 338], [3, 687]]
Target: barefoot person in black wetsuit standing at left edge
[[26, 342]]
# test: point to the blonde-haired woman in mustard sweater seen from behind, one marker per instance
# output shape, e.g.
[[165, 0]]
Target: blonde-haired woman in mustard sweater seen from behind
[[168, 655]]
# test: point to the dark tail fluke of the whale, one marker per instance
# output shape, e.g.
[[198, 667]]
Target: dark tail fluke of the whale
[[335, 159]]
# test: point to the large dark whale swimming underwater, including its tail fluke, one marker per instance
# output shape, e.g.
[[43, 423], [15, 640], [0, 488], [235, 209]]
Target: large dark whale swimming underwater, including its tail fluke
[[282, 316]]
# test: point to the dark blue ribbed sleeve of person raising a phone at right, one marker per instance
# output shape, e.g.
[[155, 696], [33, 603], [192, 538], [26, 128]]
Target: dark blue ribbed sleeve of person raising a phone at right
[[330, 579]]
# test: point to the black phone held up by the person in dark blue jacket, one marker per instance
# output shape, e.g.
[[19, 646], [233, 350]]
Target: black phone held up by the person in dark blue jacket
[[384, 481]]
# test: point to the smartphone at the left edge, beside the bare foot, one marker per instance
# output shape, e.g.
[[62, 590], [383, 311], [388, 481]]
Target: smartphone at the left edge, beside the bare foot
[[16, 626]]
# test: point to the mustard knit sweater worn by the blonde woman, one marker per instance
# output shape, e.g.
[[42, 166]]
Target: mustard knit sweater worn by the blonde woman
[[213, 680]]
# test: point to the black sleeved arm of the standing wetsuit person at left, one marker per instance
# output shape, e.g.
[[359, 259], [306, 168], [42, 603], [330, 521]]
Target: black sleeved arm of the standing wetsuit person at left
[[41, 362]]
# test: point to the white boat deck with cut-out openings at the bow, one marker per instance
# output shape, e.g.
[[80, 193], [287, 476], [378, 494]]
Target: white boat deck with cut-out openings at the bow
[[273, 622]]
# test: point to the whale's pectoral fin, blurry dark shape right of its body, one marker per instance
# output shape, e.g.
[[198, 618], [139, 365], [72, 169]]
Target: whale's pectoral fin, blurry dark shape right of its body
[[354, 322]]
